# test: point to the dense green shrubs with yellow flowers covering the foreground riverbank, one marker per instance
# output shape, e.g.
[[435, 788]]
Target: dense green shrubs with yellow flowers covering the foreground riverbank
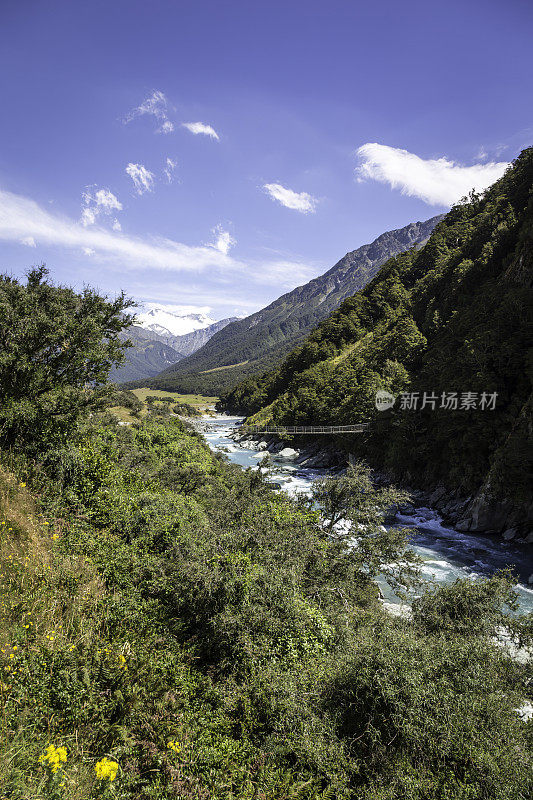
[[217, 640]]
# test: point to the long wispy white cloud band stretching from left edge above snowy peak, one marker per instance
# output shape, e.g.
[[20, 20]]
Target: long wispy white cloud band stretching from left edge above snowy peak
[[24, 220]]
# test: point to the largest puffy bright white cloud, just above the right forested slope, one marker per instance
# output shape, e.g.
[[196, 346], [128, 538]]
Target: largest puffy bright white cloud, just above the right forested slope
[[436, 181]]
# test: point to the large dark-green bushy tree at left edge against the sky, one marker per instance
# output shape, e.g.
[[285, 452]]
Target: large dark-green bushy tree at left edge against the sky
[[56, 350]]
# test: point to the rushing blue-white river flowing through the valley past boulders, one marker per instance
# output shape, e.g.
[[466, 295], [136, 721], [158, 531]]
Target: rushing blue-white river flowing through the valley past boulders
[[446, 554]]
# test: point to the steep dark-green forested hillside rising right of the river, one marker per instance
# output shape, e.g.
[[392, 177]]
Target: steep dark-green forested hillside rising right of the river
[[454, 316]]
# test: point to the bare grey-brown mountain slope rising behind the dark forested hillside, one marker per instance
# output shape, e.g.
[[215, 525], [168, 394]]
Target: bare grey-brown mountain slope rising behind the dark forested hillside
[[258, 342]]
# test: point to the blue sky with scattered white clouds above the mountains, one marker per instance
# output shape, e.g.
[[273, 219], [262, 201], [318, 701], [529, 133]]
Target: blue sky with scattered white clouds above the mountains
[[216, 153]]
